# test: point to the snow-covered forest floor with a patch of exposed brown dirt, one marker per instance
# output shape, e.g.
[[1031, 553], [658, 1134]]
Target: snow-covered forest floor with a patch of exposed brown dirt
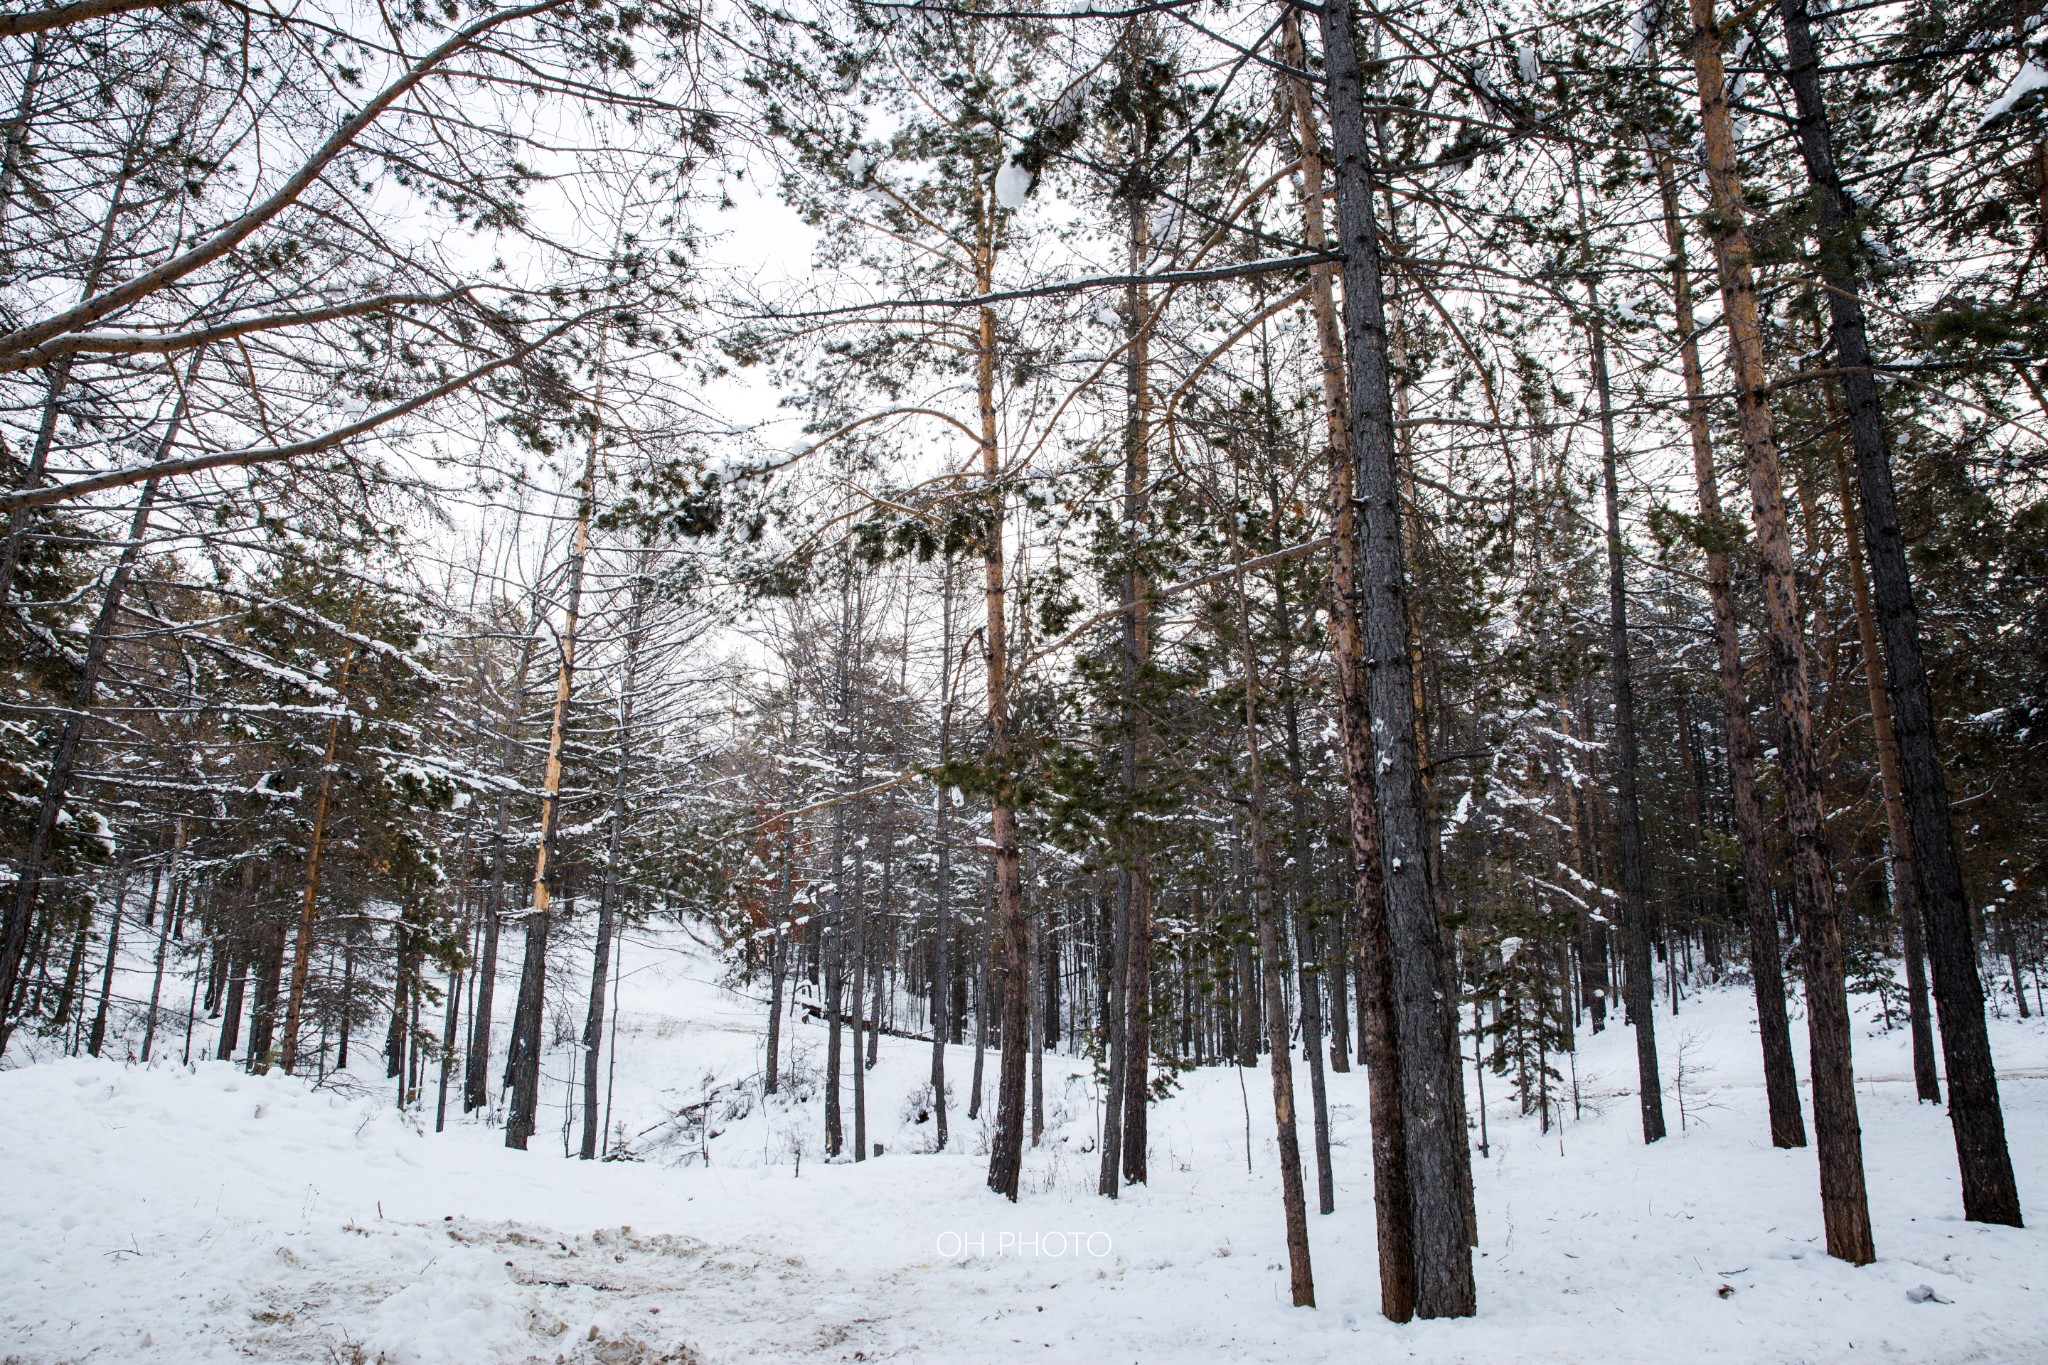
[[204, 1215]]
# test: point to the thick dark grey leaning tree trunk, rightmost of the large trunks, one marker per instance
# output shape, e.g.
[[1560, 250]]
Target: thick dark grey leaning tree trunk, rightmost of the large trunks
[[1990, 1192]]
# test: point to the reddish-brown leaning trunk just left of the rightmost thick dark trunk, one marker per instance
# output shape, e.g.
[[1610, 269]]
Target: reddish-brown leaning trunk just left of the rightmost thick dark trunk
[[1844, 1202]]
